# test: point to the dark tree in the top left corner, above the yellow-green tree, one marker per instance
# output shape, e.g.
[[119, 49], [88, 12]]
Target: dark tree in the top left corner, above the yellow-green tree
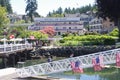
[[7, 5]]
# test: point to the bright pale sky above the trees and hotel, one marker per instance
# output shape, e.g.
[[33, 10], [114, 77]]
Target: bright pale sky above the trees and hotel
[[46, 6]]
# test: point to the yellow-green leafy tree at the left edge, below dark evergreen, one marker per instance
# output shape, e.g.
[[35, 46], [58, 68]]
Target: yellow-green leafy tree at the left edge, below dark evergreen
[[3, 19]]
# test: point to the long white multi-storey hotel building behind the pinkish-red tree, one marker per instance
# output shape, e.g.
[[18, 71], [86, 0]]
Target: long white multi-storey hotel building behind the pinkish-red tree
[[61, 25]]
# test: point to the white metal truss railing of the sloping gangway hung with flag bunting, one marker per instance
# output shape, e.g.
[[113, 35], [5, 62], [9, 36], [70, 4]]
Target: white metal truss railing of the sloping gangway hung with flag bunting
[[64, 65]]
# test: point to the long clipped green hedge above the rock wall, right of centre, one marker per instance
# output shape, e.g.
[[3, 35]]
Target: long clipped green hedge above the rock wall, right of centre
[[88, 40]]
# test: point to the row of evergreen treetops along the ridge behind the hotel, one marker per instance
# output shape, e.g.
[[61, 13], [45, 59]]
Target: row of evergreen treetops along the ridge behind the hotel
[[60, 12]]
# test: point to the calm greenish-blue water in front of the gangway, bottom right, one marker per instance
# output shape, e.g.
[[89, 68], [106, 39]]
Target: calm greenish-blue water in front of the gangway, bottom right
[[113, 74]]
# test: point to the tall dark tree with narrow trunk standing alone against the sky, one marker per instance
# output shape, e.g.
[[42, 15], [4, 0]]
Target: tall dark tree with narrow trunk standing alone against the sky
[[31, 8]]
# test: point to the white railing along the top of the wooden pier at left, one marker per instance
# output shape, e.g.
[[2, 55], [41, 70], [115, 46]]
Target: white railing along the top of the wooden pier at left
[[14, 47]]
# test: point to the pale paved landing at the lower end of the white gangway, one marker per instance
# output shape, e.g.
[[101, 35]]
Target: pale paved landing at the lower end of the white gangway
[[10, 74]]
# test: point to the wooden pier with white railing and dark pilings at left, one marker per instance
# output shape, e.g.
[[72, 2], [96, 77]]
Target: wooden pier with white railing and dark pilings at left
[[13, 53]]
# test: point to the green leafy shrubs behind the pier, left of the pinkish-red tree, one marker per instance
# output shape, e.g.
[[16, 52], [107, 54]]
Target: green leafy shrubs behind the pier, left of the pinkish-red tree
[[21, 31]]
